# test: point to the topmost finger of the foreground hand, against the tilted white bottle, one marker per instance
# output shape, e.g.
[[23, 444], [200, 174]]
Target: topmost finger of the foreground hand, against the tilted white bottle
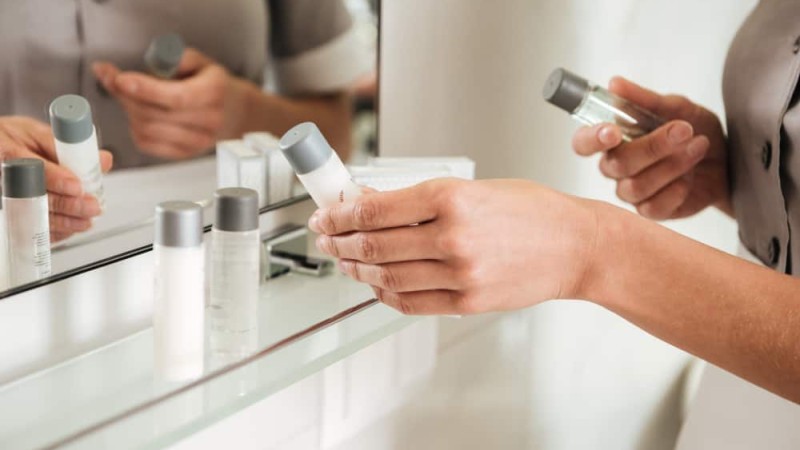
[[377, 211]]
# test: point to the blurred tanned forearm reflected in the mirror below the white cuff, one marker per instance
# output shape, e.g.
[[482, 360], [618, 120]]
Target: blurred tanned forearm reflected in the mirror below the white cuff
[[256, 110]]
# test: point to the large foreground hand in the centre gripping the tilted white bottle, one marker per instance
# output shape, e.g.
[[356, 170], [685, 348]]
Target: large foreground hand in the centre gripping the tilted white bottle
[[478, 246]]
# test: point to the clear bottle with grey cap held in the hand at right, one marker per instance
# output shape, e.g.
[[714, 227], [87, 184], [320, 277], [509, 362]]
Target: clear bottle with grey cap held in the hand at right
[[591, 105]]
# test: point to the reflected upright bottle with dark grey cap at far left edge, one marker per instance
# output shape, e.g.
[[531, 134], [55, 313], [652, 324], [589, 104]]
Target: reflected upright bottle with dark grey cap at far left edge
[[27, 220]]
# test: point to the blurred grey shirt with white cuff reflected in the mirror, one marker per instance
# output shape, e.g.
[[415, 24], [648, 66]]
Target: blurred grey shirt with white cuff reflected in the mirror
[[48, 46]]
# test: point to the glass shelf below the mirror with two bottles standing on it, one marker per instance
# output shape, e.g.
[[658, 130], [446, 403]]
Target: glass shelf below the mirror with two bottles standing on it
[[111, 397]]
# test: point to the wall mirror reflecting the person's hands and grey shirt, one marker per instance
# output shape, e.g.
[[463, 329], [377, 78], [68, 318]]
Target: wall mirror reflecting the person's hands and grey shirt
[[185, 96]]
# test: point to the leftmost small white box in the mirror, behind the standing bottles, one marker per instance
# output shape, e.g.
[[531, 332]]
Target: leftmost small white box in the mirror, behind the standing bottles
[[239, 165]]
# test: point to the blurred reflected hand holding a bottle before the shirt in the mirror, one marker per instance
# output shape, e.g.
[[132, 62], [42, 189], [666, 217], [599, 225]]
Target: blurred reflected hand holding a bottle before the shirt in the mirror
[[175, 119]]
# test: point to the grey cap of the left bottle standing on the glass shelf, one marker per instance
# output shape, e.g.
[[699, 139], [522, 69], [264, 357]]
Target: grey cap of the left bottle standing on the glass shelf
[[179, 224]]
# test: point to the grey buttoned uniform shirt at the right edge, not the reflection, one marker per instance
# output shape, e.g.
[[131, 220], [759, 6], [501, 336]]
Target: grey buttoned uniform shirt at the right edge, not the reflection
[[763, 115]]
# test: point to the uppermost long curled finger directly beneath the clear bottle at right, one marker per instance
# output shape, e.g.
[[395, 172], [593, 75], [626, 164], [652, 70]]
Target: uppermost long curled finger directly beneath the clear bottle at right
[[632, 158]]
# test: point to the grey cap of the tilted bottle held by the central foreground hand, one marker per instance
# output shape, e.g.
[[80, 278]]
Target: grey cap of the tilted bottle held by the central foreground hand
[[305, 148]]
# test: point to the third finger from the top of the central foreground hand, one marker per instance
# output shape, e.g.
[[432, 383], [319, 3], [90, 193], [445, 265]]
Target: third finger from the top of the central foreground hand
[[402, 277]]
